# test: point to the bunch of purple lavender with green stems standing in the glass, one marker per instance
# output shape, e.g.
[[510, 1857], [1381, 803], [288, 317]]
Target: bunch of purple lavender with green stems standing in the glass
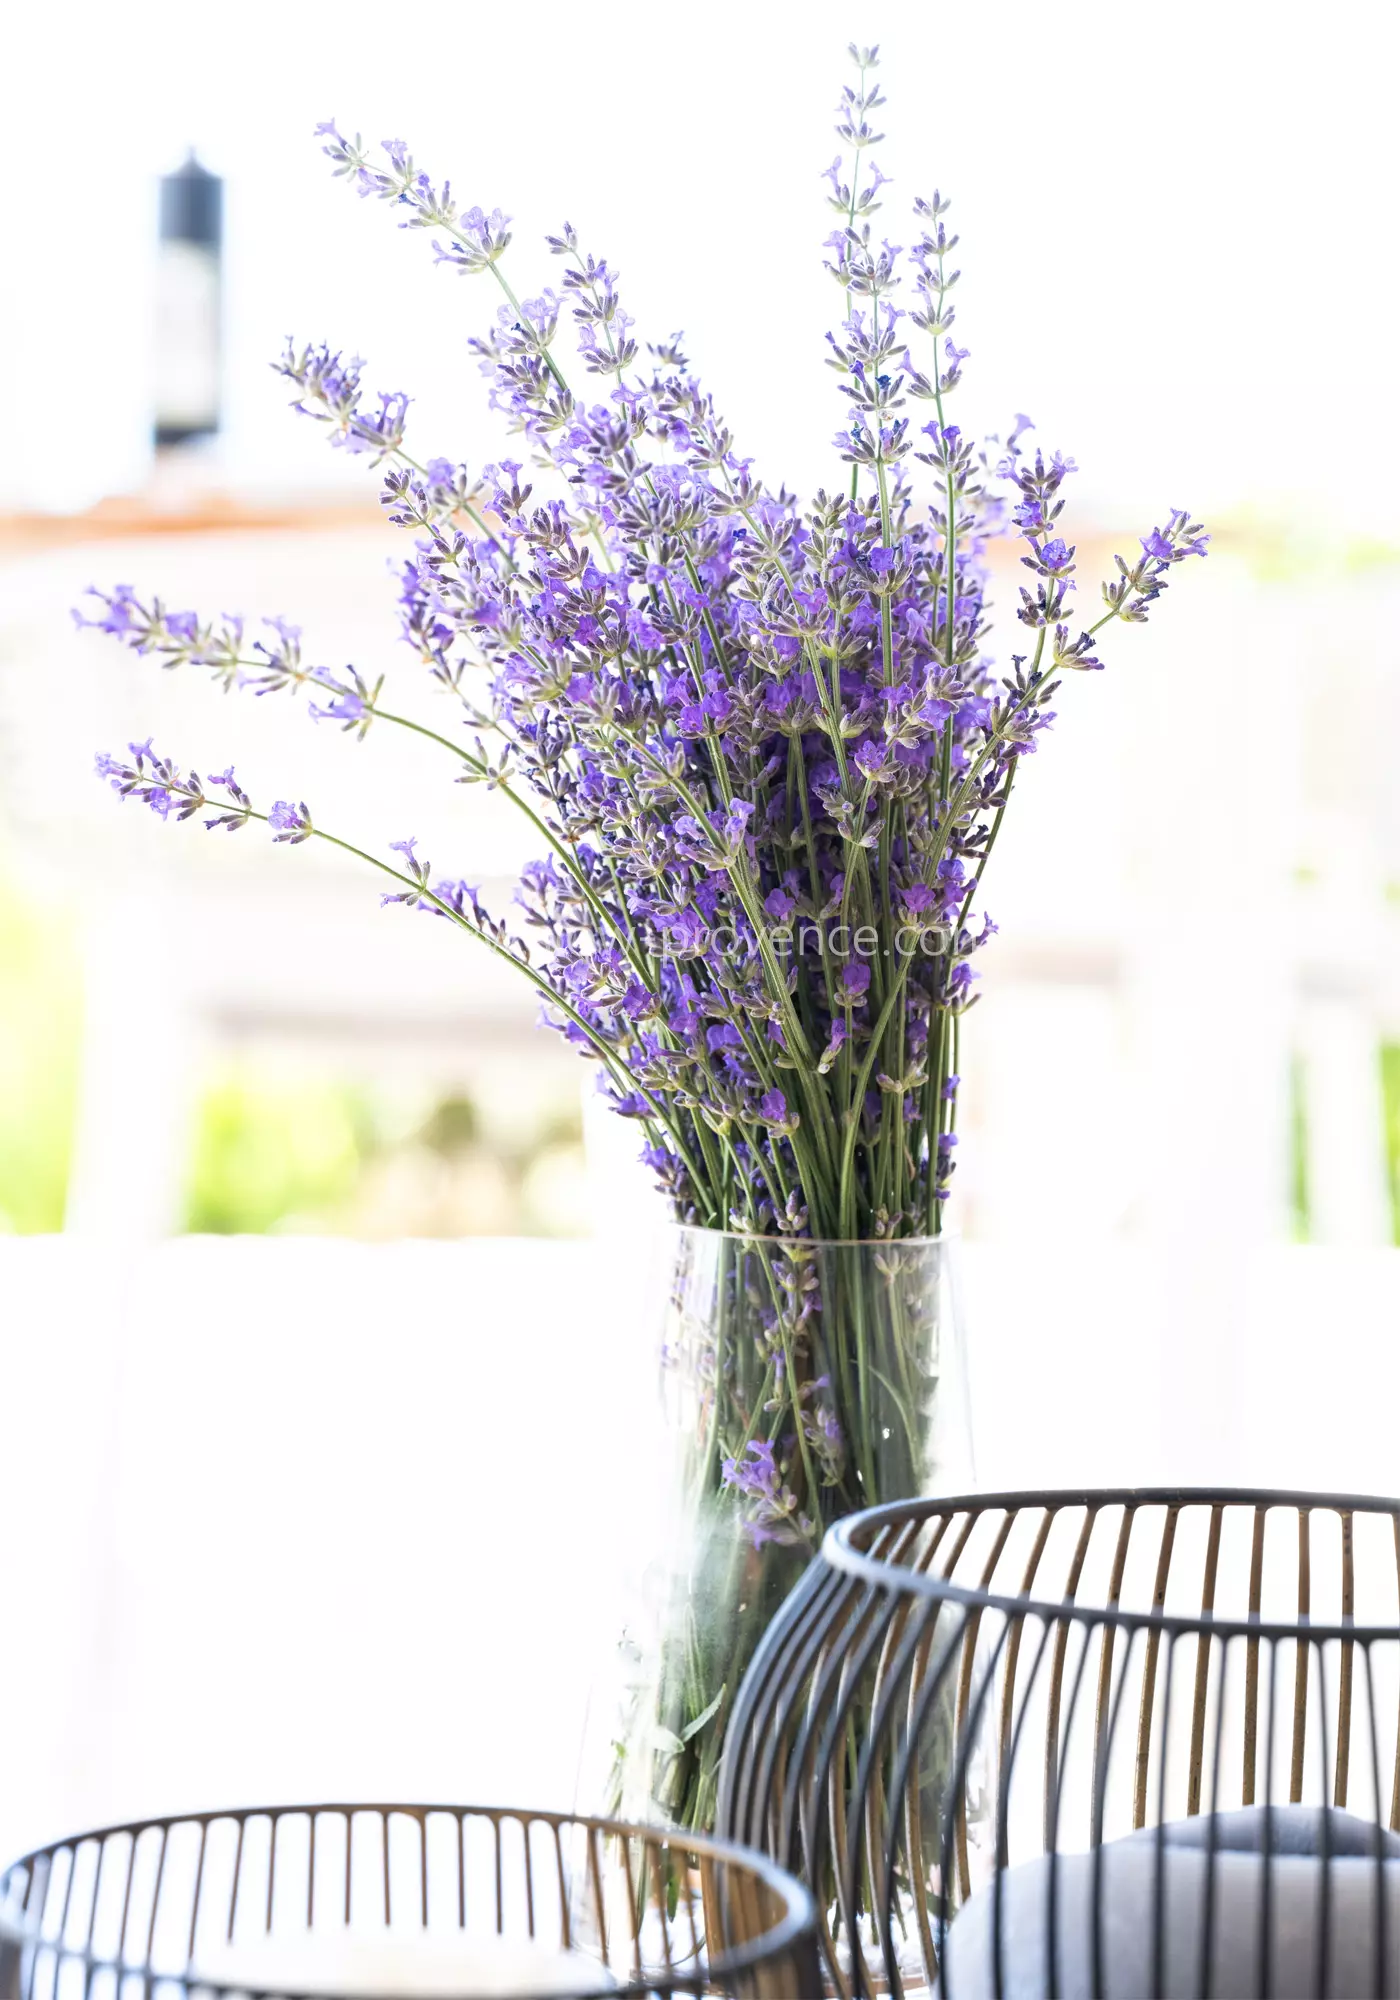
[[763, 749]]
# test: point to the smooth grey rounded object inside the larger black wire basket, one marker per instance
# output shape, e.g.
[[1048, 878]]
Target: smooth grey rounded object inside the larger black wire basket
[[1129, 1907]]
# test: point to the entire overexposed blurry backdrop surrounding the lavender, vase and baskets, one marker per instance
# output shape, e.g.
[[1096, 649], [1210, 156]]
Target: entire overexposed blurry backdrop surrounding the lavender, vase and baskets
[[1181, 1155]]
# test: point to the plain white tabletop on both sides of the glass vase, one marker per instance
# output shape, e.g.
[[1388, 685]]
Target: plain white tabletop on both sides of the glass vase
[[293, 1519]]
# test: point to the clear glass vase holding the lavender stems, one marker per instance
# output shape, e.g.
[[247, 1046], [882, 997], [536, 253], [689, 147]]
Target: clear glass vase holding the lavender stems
[[801, 1381]]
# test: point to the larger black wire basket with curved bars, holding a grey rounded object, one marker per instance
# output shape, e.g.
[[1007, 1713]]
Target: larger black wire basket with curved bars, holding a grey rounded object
[[1129, 1743]]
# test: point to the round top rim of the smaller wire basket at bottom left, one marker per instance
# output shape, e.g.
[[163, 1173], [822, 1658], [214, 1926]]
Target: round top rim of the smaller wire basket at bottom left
[[783, 1937]]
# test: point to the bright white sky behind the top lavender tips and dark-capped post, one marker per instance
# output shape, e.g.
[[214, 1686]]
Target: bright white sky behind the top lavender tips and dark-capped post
[[1177, 223]]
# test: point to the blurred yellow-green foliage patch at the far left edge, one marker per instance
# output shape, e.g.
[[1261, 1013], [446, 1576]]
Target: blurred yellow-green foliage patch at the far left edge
[[41, 1023]]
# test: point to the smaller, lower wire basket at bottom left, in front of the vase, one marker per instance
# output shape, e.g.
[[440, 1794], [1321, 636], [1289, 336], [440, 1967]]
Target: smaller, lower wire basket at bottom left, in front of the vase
[[445, 1901]]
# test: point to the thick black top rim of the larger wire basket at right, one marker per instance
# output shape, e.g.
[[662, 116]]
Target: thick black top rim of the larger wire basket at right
[[893, 1577]]
